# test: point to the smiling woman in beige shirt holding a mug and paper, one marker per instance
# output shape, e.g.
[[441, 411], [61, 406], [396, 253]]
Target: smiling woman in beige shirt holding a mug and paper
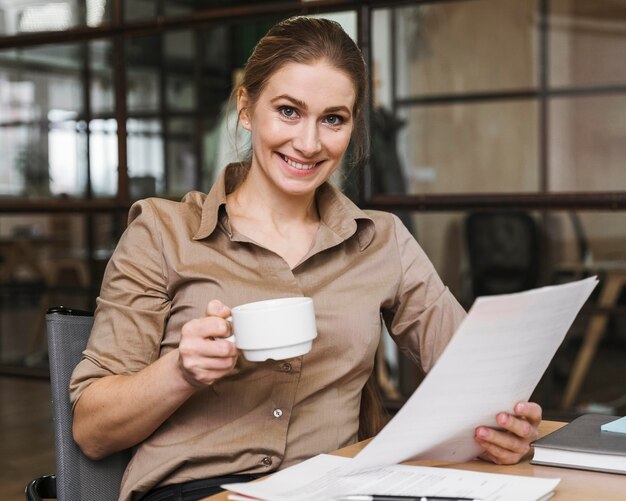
[[158, 374]]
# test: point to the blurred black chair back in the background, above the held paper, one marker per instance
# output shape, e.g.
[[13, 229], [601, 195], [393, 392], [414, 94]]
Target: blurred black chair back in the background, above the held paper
[[504, 251]]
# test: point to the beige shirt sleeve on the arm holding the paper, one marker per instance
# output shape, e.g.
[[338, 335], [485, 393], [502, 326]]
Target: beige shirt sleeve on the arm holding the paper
[[425, 313]]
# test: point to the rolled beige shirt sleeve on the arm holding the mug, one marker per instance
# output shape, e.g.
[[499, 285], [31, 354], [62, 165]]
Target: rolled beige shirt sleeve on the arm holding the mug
[[132, 307]]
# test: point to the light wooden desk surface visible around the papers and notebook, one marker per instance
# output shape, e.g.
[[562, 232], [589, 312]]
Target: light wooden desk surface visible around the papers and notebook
[[575, 484]]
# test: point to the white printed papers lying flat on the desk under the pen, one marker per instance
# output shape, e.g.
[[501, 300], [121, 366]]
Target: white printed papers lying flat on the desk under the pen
[[319, 479]]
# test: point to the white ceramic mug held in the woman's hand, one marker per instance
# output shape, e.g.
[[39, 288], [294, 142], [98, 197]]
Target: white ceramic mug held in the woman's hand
[[275, 328]]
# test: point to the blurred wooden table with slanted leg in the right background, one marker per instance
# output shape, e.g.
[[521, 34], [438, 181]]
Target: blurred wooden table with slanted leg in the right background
[[613, 278]]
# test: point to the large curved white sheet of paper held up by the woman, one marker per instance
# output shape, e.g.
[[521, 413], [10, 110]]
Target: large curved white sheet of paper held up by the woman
[[495, 359]]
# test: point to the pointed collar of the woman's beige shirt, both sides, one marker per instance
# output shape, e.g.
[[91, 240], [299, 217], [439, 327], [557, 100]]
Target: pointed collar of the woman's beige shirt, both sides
[[337, 211]]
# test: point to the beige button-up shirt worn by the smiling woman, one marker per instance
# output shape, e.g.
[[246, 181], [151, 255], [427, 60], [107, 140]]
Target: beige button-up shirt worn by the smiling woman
[[176, 256]]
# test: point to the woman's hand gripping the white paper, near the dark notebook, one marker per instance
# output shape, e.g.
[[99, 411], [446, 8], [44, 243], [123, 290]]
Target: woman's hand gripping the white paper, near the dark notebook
[[512, 443]]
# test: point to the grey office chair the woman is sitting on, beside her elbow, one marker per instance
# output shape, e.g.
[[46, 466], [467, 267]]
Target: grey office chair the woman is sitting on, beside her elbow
[[77, 477]]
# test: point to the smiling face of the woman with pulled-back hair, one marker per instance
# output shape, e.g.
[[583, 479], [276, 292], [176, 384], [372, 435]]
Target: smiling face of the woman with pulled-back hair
[[301, 125]]
